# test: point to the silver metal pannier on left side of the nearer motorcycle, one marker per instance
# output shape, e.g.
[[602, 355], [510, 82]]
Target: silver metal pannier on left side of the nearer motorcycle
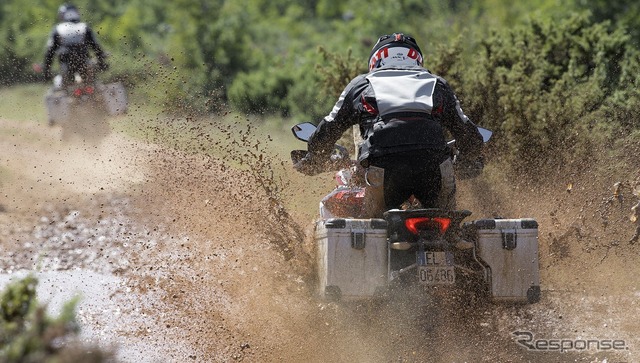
[[351, 257]]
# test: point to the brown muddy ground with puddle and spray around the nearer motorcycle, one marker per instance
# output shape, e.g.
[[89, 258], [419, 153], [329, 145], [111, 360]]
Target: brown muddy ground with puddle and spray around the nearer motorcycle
[[179, 258]]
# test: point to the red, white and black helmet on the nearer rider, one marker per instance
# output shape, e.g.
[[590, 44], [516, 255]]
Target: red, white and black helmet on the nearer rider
[[396, 49]]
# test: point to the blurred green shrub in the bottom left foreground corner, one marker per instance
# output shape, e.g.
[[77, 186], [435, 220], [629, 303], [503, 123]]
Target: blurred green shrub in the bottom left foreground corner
[[28, 334]]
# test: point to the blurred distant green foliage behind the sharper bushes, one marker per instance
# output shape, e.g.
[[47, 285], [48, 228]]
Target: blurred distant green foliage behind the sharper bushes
[[211, 43]]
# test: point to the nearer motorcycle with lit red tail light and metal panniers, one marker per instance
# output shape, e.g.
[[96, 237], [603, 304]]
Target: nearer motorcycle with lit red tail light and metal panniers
[[363, 255]]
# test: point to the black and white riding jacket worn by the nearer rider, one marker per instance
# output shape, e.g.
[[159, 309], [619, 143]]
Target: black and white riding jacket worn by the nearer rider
[[397, 110]]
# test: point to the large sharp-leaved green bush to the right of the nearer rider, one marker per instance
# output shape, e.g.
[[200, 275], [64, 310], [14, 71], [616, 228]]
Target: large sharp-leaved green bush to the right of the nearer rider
[[547, 86]]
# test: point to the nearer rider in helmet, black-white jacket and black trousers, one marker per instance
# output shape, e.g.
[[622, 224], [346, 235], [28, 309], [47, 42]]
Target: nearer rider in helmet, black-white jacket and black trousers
[[402, 110]]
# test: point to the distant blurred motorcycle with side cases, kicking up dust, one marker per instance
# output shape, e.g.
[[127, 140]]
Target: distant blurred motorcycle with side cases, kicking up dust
[[82, 108]]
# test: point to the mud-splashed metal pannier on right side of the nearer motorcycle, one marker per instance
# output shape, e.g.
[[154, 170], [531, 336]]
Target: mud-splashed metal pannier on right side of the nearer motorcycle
[[509, 250]]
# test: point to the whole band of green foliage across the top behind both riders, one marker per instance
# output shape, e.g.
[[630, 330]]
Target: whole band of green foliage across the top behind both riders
[[544, 75]]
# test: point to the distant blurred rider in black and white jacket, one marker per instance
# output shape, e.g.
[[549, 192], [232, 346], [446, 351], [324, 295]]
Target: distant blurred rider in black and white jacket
[[71, 39]]
